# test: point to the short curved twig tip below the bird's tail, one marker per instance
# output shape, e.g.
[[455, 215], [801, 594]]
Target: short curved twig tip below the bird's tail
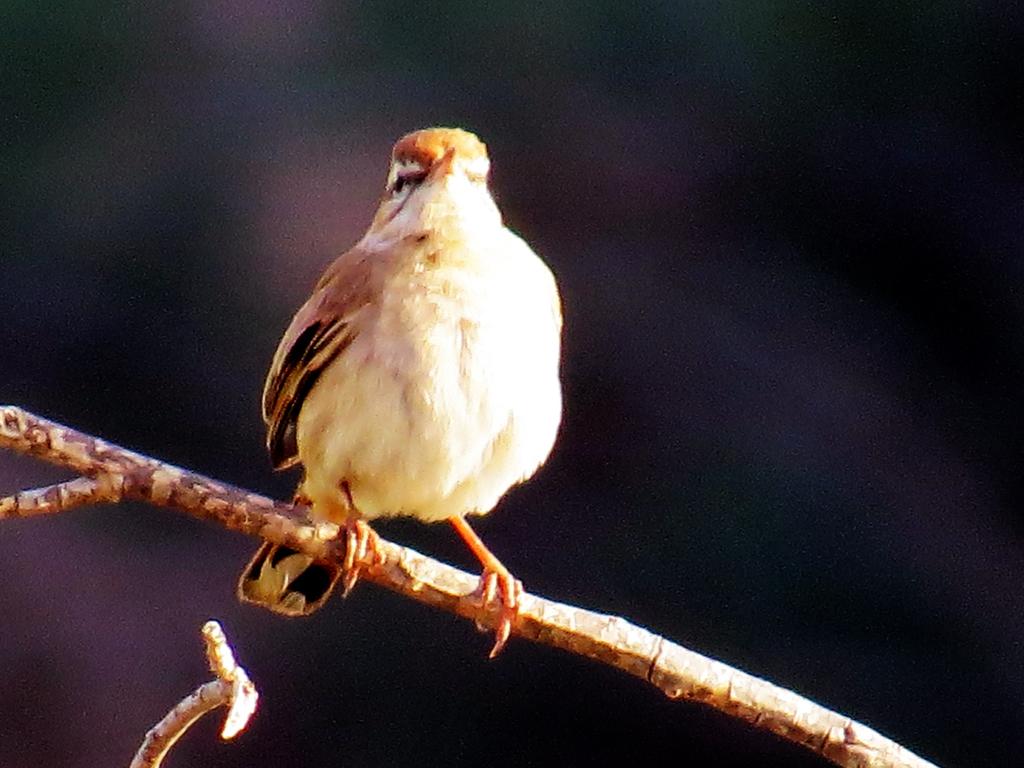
[[232, 689]]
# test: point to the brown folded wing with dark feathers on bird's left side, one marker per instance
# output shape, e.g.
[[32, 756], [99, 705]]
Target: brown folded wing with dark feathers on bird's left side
[[320, 332]]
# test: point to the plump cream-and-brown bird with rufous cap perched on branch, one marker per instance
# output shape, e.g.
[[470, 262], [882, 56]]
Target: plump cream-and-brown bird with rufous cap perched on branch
[[420, 379]]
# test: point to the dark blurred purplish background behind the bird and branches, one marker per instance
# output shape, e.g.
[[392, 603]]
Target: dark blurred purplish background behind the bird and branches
[[789, 242]]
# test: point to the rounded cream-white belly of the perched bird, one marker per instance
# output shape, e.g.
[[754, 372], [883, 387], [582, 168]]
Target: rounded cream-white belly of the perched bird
[[444, 400]]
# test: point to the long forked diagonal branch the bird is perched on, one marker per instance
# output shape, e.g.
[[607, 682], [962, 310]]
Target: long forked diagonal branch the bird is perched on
[[113, 475]]
